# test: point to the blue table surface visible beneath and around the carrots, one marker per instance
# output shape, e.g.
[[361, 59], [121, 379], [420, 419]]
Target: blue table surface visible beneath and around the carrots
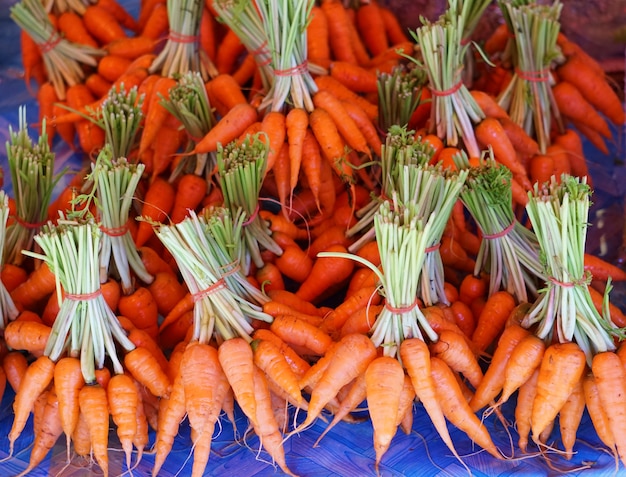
[[346, 450]]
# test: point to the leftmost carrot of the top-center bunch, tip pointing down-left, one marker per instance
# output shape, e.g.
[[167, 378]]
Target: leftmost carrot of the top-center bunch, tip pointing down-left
[[228, 128]]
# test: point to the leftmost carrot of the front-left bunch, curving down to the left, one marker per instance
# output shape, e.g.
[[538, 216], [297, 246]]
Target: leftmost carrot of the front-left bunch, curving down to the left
[[38, 375]]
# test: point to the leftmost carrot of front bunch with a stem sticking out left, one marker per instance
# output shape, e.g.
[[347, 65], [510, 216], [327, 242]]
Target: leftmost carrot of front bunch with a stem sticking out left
[[350, 359]]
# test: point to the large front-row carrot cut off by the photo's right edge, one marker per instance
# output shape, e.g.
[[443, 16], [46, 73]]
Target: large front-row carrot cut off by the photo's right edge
[[609, 374]]
